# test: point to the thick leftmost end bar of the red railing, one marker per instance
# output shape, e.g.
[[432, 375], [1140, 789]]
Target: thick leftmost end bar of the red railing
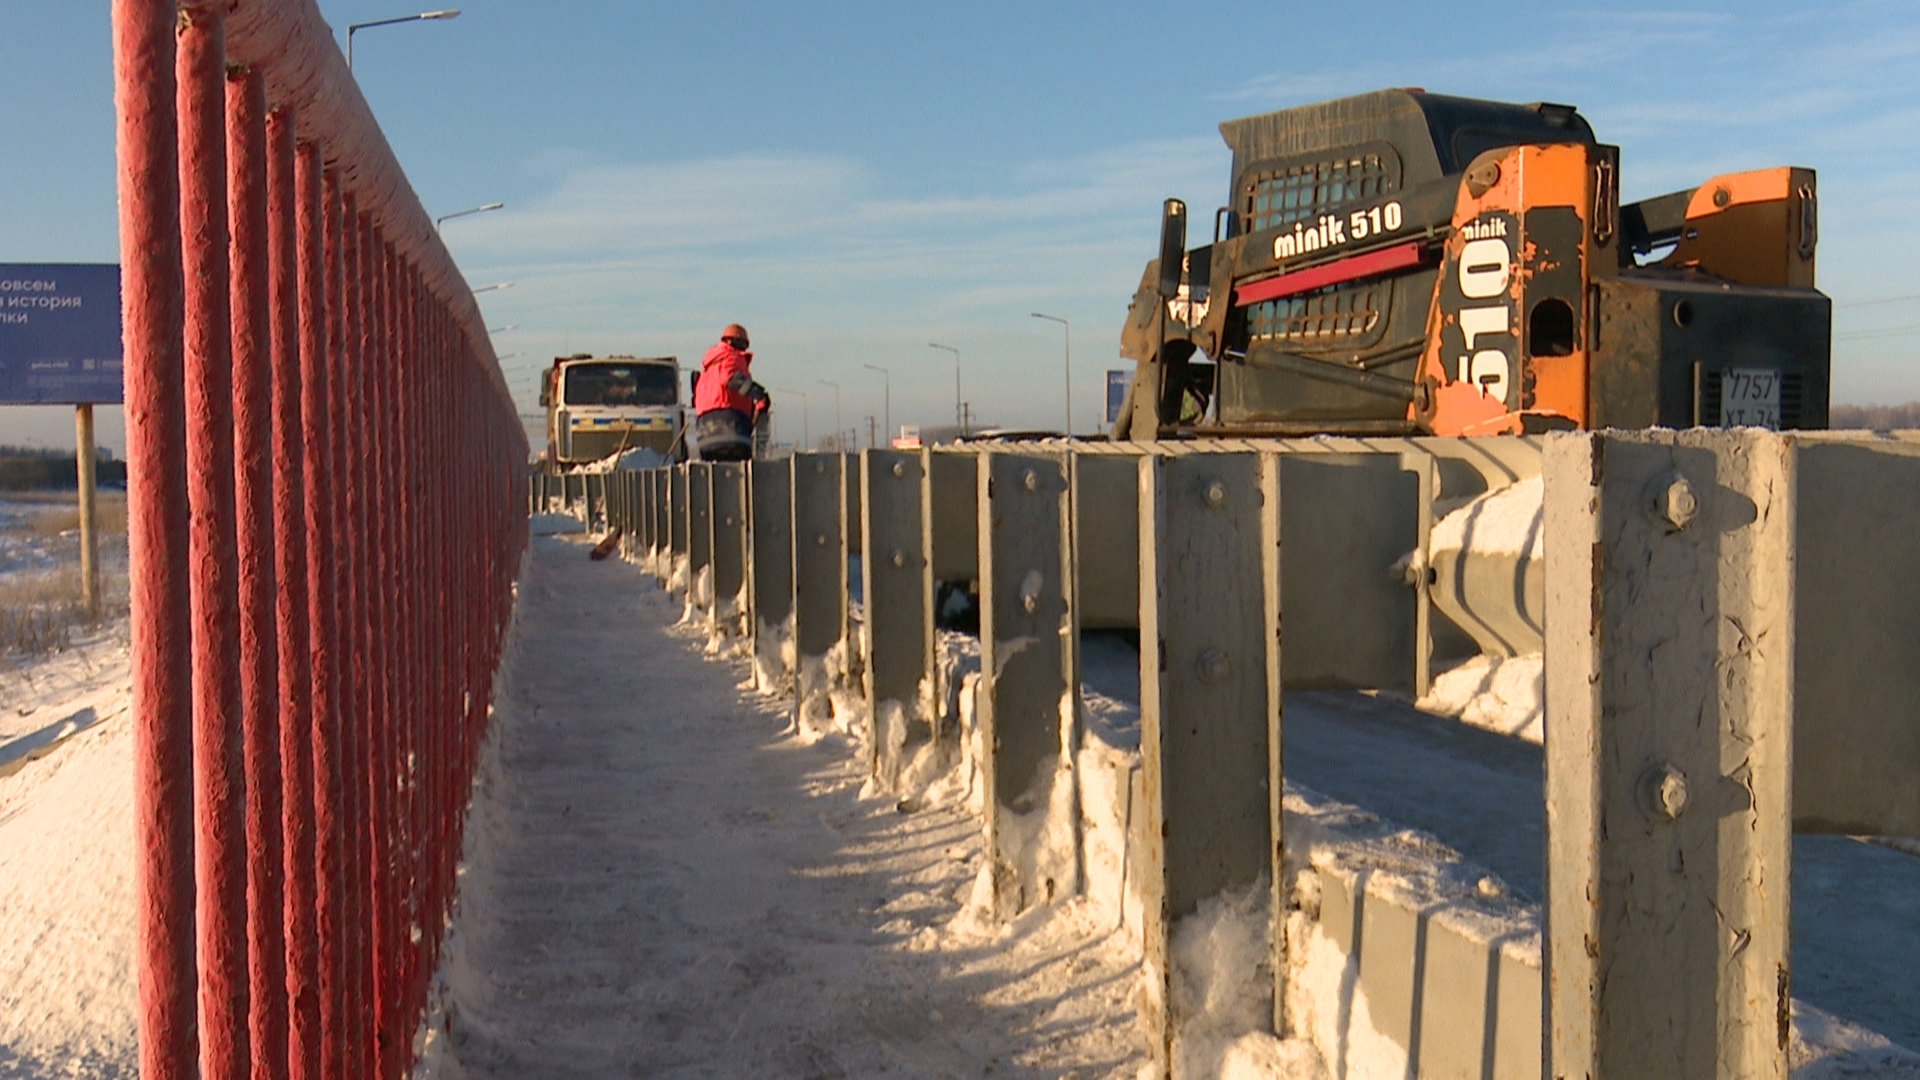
[[153, 310]]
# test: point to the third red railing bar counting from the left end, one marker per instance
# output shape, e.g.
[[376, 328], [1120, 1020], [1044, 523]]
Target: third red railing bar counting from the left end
[[254, 460]]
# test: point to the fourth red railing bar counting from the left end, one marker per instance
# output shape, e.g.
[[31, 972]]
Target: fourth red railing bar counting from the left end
[[291, 218]]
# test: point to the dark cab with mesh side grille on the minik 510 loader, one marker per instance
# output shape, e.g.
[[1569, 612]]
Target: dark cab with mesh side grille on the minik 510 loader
[[1291, 172]]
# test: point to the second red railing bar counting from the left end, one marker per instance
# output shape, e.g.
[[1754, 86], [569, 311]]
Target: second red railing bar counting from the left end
[[220, 779]]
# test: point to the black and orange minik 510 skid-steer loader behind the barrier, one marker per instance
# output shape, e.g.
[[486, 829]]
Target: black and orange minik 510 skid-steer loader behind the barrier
[[1420, 264]]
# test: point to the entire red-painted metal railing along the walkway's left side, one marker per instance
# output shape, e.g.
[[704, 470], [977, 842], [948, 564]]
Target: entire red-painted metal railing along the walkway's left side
[[325, 516]]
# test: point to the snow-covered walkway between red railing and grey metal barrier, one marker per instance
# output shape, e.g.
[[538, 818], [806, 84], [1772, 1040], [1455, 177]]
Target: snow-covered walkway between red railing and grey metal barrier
[[661, 883]]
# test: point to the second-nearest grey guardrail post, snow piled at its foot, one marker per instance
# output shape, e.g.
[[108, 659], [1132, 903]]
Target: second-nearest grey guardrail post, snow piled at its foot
[[1211, 702]]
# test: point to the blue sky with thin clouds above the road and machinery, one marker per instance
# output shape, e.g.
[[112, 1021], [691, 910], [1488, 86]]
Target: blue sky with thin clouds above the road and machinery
[[859, 180]]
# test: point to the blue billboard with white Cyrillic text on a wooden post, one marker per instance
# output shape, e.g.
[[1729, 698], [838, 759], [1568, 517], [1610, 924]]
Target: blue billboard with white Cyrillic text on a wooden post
[[60, 335]]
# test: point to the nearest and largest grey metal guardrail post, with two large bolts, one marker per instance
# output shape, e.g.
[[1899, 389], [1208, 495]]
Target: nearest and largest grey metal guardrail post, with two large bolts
[[1669, 818]]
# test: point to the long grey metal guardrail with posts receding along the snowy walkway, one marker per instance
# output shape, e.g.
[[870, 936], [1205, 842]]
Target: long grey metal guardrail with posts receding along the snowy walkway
[[1731, 660]]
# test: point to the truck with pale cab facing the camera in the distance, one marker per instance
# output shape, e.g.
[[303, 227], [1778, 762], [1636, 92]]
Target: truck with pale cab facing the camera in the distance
[[612, 405]]
